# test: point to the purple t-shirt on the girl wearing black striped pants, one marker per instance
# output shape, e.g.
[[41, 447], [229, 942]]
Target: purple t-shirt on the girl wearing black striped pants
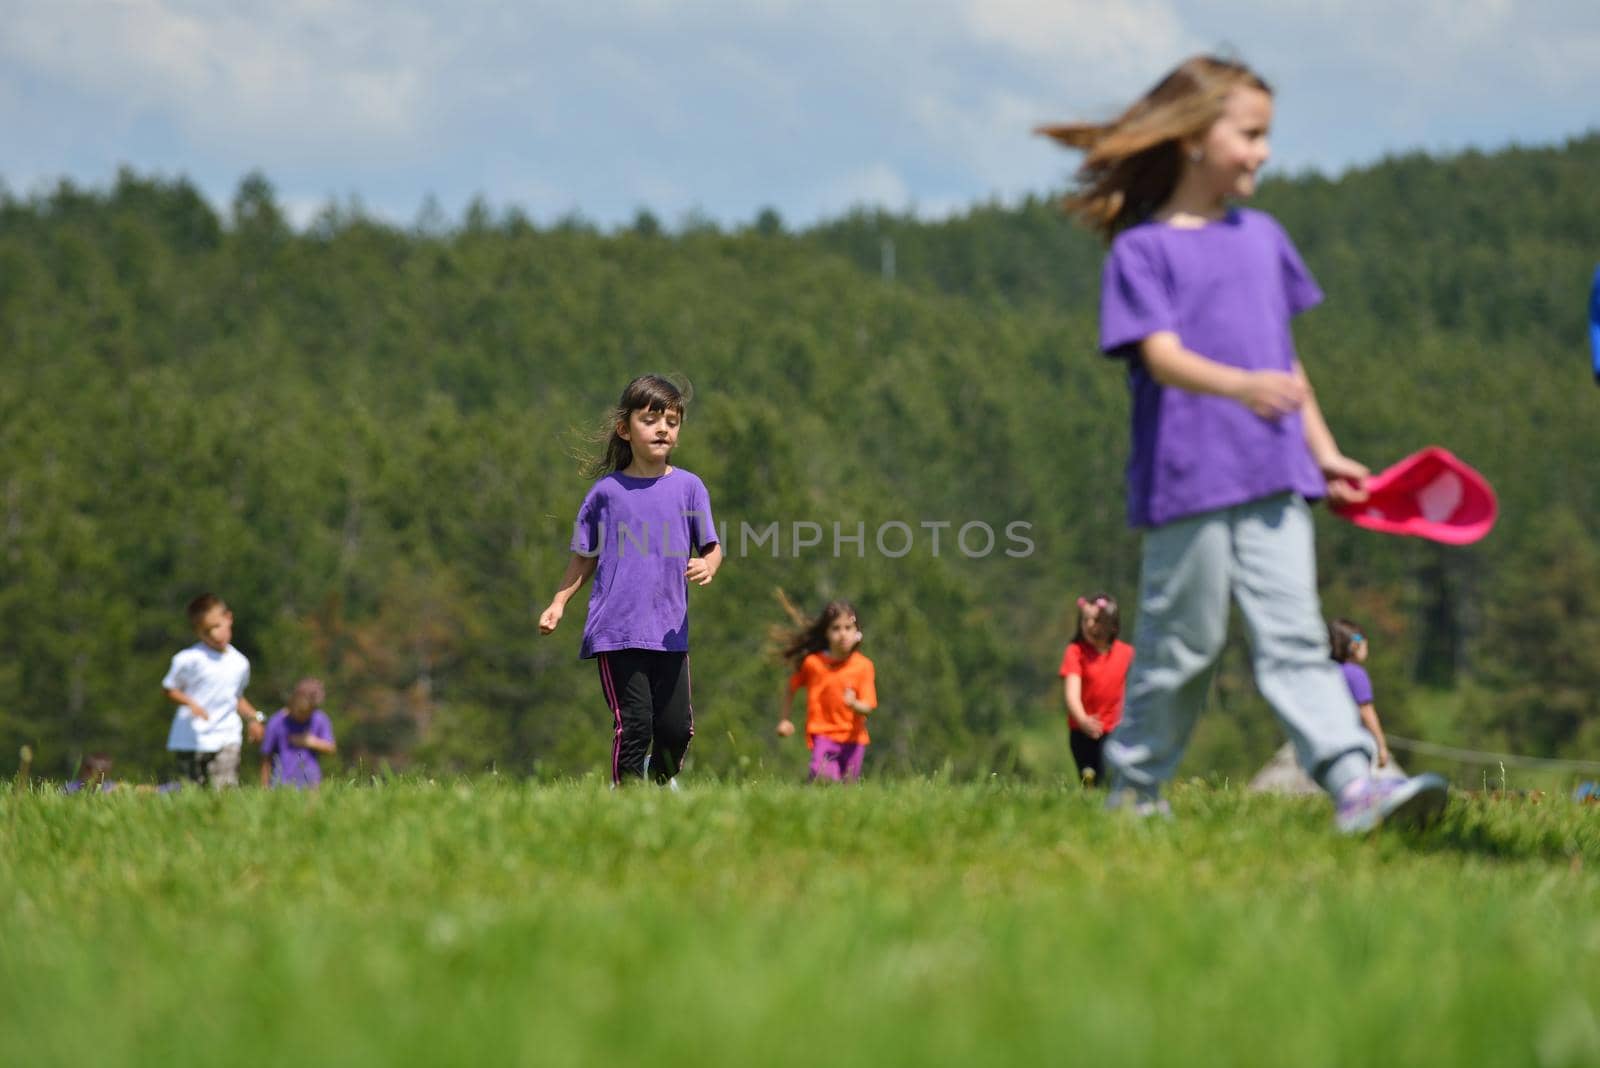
[[644, 532]]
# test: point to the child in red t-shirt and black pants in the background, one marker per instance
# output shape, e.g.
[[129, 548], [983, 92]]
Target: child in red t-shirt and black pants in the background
[[1095, 672]]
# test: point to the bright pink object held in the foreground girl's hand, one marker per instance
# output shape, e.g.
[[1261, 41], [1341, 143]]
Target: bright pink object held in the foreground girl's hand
[[1428, 495]]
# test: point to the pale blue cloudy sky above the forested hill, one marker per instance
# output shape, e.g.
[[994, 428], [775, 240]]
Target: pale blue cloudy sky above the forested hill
[[722, 108]]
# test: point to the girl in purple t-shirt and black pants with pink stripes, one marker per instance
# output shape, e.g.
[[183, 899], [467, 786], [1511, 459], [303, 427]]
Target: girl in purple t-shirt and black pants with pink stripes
[[638, 536]]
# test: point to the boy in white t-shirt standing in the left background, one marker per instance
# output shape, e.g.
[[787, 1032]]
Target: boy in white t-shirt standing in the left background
[[207, 682]]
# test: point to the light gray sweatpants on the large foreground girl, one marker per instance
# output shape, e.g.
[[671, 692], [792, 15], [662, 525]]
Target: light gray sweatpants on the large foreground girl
[[1262, 554]]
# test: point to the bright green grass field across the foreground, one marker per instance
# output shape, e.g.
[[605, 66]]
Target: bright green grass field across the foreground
[[911, 923]]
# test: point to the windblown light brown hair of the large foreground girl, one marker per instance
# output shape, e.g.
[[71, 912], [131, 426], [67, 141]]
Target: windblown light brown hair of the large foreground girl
[[1132, 164]]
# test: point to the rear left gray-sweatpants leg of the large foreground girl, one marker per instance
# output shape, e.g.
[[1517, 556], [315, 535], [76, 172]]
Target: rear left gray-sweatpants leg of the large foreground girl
[[1183, 624]]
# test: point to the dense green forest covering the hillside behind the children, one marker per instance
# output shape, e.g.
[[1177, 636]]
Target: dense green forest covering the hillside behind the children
[[362, 436]]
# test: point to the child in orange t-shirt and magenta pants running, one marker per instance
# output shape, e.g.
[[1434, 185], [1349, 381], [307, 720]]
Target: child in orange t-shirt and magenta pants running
[[841, 691]]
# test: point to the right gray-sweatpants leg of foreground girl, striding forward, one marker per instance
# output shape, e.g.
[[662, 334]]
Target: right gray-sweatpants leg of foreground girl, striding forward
[[1276, 583]]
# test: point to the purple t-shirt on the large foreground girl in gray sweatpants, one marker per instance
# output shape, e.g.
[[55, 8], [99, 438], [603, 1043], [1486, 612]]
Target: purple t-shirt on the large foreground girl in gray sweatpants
[[1230, 292]]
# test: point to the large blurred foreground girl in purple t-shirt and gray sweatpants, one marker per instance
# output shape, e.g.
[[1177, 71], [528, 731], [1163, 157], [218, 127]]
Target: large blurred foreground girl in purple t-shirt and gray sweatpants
[[1228, 439]]
